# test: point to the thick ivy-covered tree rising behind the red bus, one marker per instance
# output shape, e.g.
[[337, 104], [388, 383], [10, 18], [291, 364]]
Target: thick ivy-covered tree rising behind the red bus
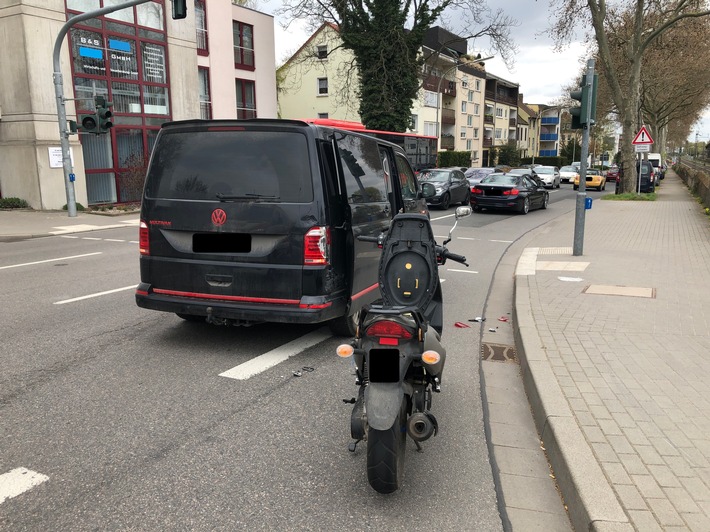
[[385, 37]]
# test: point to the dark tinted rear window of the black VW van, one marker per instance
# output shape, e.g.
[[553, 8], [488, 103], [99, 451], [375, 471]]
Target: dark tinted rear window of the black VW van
[[231, 165]]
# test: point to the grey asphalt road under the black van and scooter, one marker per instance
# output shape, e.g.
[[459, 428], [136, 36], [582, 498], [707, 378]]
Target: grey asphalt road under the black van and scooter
[[124, 414]]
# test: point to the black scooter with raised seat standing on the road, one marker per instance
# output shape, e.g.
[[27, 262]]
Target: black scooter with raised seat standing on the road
[[397, 352]]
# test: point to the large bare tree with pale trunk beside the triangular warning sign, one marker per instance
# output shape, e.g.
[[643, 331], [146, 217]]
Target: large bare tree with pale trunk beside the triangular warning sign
[[646, 20]]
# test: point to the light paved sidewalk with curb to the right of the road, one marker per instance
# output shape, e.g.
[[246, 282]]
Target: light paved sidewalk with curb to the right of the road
[[617, 360]]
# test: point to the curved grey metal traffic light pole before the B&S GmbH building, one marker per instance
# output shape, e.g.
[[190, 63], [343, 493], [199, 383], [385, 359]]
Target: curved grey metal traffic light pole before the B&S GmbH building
[[59, 93]]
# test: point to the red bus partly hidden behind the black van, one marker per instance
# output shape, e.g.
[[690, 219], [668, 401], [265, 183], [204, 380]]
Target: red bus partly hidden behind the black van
[[420, 149]]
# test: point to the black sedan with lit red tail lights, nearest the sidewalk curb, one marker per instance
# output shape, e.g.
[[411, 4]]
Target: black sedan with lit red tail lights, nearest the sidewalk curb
[[520, 193]]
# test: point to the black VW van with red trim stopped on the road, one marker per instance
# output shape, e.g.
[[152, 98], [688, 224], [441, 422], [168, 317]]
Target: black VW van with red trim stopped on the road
[[248, 221]]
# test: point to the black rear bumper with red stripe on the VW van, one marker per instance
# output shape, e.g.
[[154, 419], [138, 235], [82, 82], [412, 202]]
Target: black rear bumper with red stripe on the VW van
[[309, 309]]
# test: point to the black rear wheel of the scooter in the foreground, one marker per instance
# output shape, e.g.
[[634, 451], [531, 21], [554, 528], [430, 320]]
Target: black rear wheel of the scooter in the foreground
[[385, 454]]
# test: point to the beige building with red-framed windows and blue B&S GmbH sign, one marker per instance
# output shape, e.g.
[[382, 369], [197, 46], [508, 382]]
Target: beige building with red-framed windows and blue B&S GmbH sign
[[153, 69]]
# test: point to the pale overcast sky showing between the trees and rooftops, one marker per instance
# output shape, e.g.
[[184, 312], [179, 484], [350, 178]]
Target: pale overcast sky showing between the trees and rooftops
[[541, 72]]
